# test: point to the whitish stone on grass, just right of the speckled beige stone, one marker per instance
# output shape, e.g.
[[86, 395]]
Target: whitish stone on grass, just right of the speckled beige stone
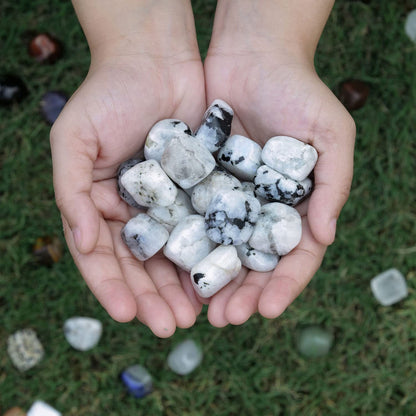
[[83, 333]]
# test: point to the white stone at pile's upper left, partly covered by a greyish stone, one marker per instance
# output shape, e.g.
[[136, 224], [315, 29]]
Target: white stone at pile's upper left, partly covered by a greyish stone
[[161, 134]]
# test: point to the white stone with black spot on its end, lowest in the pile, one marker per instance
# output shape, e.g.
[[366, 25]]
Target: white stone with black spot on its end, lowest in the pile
[[215, 271]]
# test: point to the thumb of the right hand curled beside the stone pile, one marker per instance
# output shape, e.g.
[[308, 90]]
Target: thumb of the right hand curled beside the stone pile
[[333, 176]]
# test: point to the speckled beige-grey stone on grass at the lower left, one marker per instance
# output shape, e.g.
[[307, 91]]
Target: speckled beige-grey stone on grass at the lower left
[[25, 349]]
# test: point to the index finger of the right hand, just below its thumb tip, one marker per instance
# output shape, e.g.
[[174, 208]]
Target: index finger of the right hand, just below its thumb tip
[[292, 274]]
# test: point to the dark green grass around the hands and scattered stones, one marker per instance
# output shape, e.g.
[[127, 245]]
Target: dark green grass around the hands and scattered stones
[[253, 369]]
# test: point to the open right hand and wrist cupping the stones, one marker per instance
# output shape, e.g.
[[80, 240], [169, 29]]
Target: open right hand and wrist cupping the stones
[[271, 84]]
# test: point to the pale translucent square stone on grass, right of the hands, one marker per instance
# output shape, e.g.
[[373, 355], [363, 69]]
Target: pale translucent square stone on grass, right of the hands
[[389, 287]]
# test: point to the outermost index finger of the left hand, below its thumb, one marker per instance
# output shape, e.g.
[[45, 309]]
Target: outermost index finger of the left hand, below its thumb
[[103, 276]]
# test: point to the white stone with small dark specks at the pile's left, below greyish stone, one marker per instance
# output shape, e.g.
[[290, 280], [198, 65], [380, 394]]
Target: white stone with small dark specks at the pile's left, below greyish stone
[[149, 185]]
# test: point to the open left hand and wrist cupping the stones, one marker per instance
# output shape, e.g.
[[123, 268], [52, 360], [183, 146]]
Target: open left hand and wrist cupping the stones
[[134, 81]]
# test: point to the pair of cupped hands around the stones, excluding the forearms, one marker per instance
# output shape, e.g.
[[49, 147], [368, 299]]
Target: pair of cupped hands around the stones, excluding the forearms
[[273, 91]]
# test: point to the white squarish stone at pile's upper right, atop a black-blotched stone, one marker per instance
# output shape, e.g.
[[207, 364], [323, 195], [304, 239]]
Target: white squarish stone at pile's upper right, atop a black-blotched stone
[[289, 156]]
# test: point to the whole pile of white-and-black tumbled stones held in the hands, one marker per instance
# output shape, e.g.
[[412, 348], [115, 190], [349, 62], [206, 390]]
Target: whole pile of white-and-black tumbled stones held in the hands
[[215, 202]]
